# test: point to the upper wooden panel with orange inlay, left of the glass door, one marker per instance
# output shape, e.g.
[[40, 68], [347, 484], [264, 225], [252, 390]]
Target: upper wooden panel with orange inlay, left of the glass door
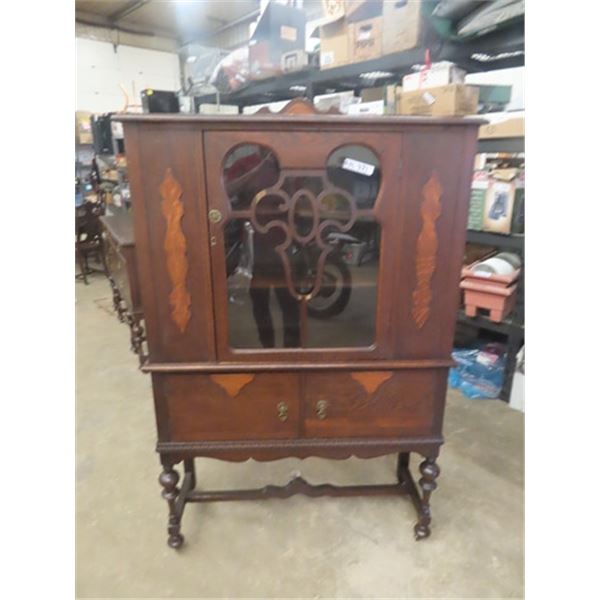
[[165, 164]]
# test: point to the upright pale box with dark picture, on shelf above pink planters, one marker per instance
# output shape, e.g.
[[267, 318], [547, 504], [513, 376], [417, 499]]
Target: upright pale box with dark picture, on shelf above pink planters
[[503, 189]]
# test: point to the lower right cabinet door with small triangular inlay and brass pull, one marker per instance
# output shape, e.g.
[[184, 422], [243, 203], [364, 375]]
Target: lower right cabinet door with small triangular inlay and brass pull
[[370, 403]]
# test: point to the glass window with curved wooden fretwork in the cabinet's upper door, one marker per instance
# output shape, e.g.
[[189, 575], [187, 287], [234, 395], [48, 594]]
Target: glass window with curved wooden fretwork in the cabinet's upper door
[[297, 247]]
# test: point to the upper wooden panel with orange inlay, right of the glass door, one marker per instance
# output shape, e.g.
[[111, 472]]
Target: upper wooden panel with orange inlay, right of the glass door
[[437, 168]]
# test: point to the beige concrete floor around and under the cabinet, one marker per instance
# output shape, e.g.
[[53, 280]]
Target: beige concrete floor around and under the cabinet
[[297, 548]]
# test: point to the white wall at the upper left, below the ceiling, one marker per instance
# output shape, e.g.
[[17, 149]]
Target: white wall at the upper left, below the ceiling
[[100, 70]]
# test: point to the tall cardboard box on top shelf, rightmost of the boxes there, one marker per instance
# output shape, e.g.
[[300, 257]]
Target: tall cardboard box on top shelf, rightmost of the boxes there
[[403, 26]]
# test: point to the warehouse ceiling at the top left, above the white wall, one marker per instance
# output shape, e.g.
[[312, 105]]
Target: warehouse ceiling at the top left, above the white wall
[[182, 20]]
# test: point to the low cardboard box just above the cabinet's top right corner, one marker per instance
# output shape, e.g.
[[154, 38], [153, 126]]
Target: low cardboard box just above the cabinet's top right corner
[[445, 101]]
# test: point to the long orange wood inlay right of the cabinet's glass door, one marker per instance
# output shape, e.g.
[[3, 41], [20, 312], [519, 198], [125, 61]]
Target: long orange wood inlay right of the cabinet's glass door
[[426, 254]]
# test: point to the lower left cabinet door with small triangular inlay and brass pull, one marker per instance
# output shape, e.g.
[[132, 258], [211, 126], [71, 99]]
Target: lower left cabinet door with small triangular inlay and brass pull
[[232, 406]]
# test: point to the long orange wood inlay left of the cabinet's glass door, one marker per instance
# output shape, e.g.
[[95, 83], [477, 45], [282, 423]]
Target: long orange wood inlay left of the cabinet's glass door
[[175, 250]]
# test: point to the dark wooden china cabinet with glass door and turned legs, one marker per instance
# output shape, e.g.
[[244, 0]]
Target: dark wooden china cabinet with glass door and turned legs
[[299, 277]]
